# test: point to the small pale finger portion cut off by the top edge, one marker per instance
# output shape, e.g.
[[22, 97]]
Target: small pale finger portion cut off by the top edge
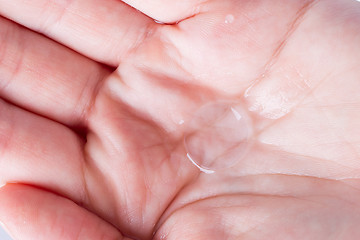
[[168, 11]]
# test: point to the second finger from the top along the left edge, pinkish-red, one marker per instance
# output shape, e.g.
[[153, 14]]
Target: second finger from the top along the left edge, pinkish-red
[[45, 77]]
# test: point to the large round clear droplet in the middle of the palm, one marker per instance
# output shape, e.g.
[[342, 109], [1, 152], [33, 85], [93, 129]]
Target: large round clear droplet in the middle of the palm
[[218, 136]]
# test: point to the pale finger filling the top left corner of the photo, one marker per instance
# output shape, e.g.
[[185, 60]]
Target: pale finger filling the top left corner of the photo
[[104, 31]]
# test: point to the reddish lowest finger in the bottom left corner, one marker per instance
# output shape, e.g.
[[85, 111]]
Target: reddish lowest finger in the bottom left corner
[[32, 213]]
